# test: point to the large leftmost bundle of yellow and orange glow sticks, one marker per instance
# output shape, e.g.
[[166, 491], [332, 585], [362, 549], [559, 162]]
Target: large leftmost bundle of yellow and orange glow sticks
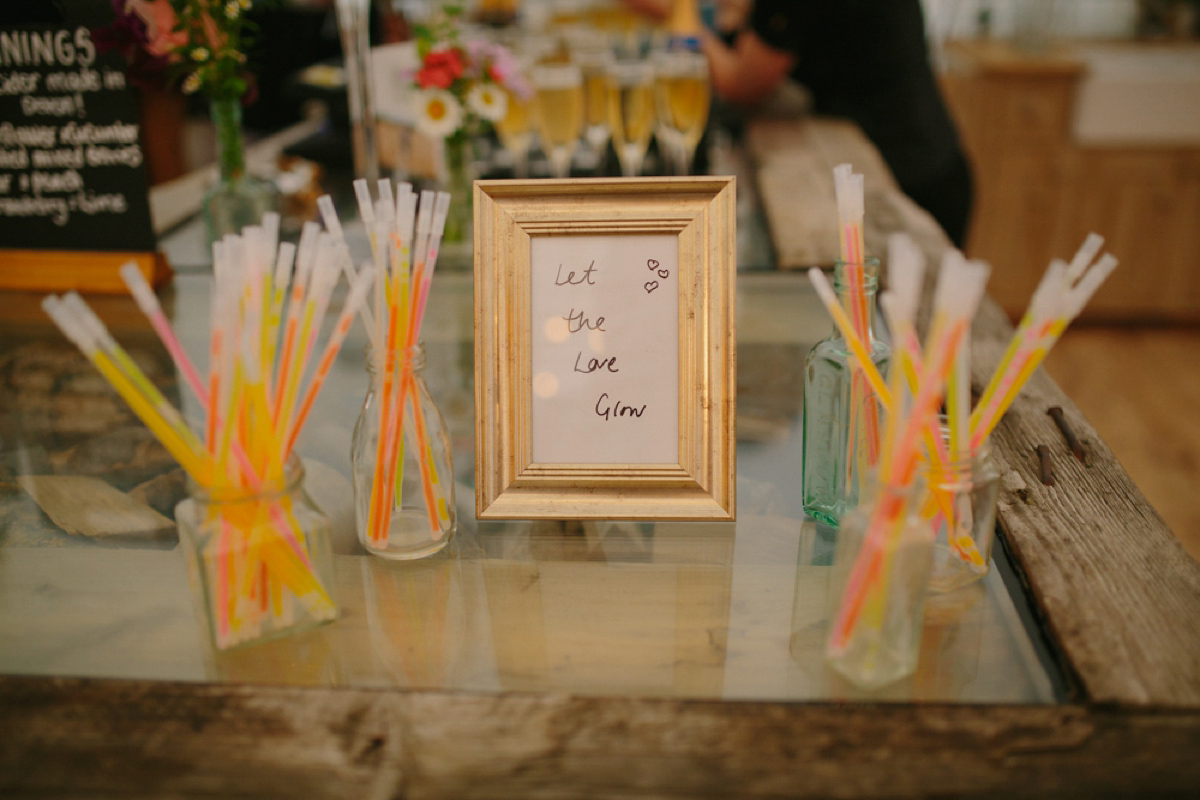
[[255, 402]]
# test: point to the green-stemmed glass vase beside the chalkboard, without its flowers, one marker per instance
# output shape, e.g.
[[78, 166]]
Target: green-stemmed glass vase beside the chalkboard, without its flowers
[[237, 200]]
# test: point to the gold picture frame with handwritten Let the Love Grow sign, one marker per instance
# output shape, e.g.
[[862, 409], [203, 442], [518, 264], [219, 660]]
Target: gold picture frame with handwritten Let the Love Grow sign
[[604, 348]]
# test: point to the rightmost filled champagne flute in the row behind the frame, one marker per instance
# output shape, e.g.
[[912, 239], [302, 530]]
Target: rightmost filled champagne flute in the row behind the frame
[[683, 97]]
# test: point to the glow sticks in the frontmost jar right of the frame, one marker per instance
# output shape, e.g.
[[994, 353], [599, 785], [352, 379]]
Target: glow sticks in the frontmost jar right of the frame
[[913, 414]]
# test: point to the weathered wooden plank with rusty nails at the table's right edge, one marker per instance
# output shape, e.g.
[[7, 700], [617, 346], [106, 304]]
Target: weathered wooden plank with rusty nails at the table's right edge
[[1117, 588]]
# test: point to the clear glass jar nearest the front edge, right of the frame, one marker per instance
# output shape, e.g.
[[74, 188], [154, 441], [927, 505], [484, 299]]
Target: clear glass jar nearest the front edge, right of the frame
[[878, 591]]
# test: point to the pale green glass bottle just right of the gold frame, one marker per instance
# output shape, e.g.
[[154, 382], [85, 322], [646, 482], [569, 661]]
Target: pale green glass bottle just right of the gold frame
[[843, 418]]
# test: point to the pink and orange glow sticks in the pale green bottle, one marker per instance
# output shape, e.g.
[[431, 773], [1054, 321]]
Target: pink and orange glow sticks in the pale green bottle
[[849, 191]]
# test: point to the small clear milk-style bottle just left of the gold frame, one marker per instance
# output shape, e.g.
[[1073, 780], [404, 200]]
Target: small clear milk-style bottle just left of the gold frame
[[406, 512]]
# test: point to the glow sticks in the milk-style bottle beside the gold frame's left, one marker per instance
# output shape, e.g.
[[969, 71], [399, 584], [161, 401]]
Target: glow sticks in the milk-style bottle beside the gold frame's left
[[406, 233]]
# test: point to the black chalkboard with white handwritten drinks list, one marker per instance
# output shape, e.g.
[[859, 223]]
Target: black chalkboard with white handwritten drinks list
[[71, 160]]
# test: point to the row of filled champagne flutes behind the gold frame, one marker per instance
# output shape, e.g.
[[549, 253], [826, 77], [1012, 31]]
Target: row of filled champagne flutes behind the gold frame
[[597, 98]]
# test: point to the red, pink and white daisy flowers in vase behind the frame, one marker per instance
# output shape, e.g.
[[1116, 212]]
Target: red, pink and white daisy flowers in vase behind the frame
[[460, 89]]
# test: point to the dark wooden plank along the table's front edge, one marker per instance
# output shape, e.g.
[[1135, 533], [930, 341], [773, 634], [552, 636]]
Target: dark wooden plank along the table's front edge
[[152, 741]]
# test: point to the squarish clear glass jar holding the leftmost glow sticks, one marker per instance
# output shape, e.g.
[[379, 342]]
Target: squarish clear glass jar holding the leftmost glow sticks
[[261, 563]]
